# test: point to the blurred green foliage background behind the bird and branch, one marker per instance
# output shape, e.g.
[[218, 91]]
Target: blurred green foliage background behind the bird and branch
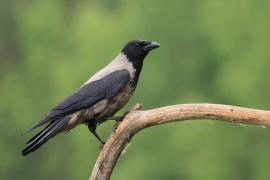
[[211, 51]]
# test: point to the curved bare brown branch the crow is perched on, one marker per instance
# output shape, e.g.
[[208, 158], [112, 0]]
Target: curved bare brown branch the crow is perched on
[[138, 120]]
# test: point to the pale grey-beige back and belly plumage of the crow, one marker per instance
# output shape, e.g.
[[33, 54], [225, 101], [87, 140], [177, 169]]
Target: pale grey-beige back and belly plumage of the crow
[[106, 107]]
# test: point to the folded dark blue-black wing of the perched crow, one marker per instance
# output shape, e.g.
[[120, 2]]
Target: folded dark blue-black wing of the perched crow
[[88, 95]]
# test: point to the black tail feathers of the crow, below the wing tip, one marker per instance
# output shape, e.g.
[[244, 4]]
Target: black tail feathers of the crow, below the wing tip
[[43, 136]]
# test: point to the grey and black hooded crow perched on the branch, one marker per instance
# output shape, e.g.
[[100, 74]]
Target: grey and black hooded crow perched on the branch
[[98, 99]]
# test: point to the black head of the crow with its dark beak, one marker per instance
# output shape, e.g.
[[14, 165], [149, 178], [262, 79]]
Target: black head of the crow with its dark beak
[[136, 50]]
